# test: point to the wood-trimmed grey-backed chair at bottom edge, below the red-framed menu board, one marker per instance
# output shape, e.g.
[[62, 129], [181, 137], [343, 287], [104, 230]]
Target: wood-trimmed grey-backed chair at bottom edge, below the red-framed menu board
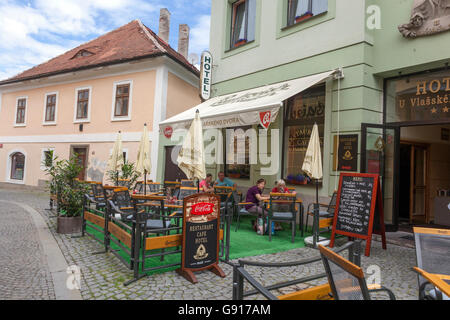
[[346, 279]]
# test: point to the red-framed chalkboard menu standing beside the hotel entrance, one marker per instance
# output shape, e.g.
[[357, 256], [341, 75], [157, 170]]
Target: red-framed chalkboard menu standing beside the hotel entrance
[[359, 201]]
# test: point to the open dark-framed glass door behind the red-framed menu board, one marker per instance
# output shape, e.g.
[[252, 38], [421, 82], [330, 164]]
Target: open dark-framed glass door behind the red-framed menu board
[[380, 146]]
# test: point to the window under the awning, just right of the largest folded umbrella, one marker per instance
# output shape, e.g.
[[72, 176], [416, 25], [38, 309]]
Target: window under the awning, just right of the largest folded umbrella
[[237, 154]]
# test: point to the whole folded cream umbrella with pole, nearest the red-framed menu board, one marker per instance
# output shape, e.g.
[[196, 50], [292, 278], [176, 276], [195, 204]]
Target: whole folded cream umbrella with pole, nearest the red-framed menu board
[[312, 166]]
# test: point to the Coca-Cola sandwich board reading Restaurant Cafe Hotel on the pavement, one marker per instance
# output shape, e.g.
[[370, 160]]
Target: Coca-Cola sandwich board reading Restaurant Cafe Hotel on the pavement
[[200, 250]]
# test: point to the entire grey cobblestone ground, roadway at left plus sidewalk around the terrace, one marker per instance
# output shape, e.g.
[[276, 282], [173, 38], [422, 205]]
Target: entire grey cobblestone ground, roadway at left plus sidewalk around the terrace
[[24, 274]]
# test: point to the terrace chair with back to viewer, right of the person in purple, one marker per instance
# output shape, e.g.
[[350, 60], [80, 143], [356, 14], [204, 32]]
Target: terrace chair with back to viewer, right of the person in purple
[[282, 209]]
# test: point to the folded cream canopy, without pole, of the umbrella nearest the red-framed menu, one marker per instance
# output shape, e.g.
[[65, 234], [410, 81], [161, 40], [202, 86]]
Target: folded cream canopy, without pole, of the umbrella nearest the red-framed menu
[[312, 165]]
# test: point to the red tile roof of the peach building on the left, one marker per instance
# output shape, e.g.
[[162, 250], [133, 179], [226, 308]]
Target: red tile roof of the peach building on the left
[[130, 42]]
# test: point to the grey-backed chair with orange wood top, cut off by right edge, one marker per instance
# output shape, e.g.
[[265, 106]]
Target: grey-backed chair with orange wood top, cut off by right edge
[[432, 254]]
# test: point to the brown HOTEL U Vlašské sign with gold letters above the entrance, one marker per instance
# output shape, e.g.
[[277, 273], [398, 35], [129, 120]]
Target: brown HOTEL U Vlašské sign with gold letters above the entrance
[[427, 100]]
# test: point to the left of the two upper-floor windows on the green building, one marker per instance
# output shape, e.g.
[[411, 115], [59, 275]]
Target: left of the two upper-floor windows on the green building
[[243, 22]]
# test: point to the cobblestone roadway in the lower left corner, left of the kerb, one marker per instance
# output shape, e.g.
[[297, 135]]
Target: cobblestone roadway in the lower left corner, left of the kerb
[[24, 273]]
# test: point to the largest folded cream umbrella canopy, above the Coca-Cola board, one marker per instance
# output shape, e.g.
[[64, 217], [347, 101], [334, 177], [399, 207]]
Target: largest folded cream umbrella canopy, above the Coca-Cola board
[[191, 159]]
